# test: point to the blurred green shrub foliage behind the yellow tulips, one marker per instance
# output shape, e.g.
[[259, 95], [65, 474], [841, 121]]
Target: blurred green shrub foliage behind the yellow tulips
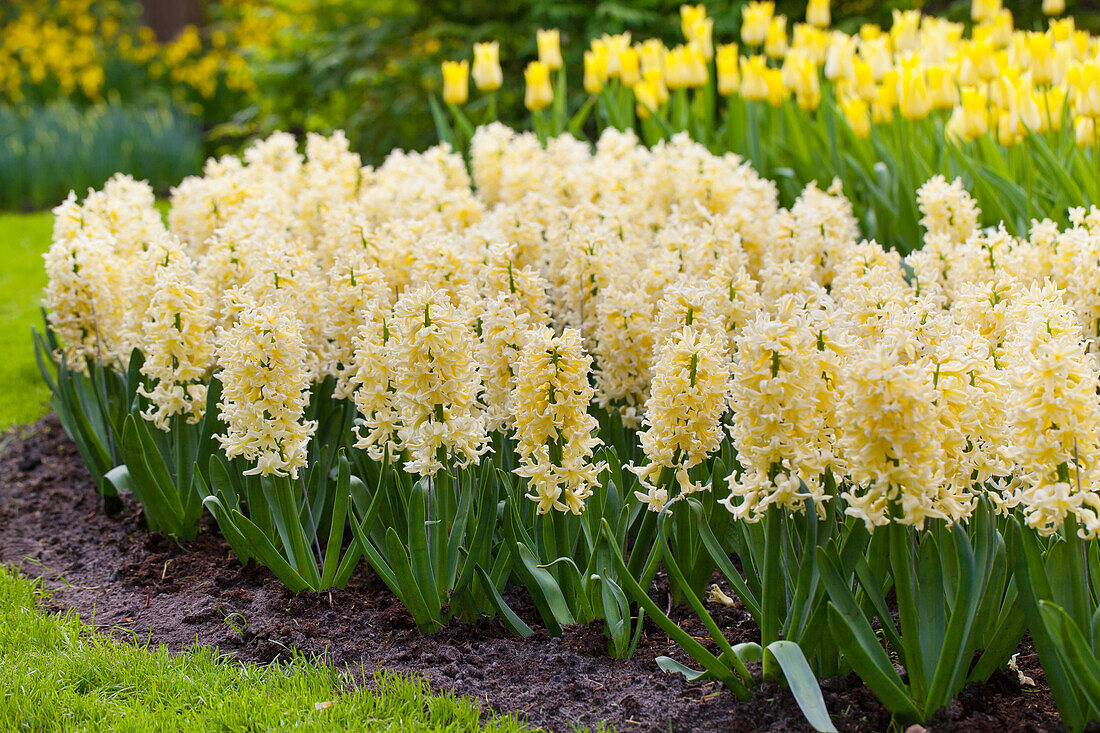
[[368, 67]]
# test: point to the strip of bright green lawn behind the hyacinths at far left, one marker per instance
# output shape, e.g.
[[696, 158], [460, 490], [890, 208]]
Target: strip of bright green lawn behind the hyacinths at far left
[[24, 239]]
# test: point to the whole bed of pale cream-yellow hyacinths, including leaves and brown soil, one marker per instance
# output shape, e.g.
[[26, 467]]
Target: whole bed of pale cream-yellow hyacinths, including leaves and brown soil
[[602, 420]]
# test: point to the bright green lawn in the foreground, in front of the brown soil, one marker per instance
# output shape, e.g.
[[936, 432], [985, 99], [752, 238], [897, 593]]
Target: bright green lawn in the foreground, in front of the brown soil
[[58, 675]]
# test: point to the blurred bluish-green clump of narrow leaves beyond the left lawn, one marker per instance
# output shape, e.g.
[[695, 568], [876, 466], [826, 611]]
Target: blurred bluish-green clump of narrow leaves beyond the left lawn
[[47, 151]]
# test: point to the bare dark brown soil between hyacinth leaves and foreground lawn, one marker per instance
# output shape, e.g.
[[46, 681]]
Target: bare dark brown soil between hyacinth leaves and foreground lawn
[[122, 578]]
